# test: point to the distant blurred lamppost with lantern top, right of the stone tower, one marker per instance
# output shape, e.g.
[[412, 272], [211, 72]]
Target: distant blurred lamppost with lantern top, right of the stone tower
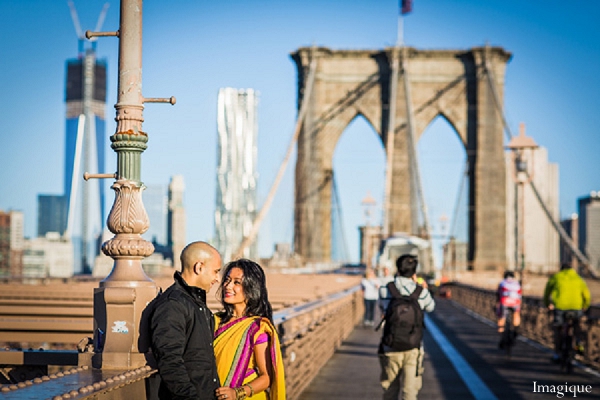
[[522, 150]]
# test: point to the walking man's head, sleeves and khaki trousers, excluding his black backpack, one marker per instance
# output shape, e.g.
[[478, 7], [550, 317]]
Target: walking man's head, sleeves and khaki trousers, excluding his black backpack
[[407, 363]]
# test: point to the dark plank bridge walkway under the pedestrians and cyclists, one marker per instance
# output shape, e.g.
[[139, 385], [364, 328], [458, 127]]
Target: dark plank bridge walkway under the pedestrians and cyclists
[[353, 372]]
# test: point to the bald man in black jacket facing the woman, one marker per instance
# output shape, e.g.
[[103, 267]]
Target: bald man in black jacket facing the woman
[[181, 328]]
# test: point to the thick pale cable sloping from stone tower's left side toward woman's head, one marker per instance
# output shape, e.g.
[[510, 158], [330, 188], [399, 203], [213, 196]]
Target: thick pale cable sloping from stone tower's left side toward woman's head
[[299, 122]]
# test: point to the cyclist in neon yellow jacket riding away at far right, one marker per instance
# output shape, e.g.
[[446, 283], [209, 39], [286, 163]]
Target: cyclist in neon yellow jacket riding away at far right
[[566, 291]]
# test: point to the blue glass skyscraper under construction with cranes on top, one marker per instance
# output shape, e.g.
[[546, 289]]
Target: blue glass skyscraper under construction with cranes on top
[[85, 99]]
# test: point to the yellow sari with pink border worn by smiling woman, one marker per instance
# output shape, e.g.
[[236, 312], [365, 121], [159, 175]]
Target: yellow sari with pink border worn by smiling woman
[[234, 350]]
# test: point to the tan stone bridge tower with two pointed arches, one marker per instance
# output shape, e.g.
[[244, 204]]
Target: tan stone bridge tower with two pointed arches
[[465, 87]]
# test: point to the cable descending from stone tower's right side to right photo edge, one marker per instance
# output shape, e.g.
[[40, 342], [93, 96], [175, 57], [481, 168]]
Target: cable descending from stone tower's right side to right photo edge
[[562, 233]]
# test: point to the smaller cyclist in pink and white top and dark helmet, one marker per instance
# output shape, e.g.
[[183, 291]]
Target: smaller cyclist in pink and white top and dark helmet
[[508, 295]]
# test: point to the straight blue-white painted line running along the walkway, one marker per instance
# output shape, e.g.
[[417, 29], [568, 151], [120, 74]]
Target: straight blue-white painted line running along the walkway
[[475, 385]]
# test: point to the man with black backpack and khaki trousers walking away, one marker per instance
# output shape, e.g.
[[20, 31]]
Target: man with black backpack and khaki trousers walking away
[[403, 304]]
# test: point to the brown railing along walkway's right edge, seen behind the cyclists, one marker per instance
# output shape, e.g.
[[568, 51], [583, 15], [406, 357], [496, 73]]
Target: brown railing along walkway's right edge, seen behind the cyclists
[[535, 318]]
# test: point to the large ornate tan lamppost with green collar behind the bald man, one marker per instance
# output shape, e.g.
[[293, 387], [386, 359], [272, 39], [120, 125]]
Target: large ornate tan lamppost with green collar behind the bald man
[[123, 295]]
